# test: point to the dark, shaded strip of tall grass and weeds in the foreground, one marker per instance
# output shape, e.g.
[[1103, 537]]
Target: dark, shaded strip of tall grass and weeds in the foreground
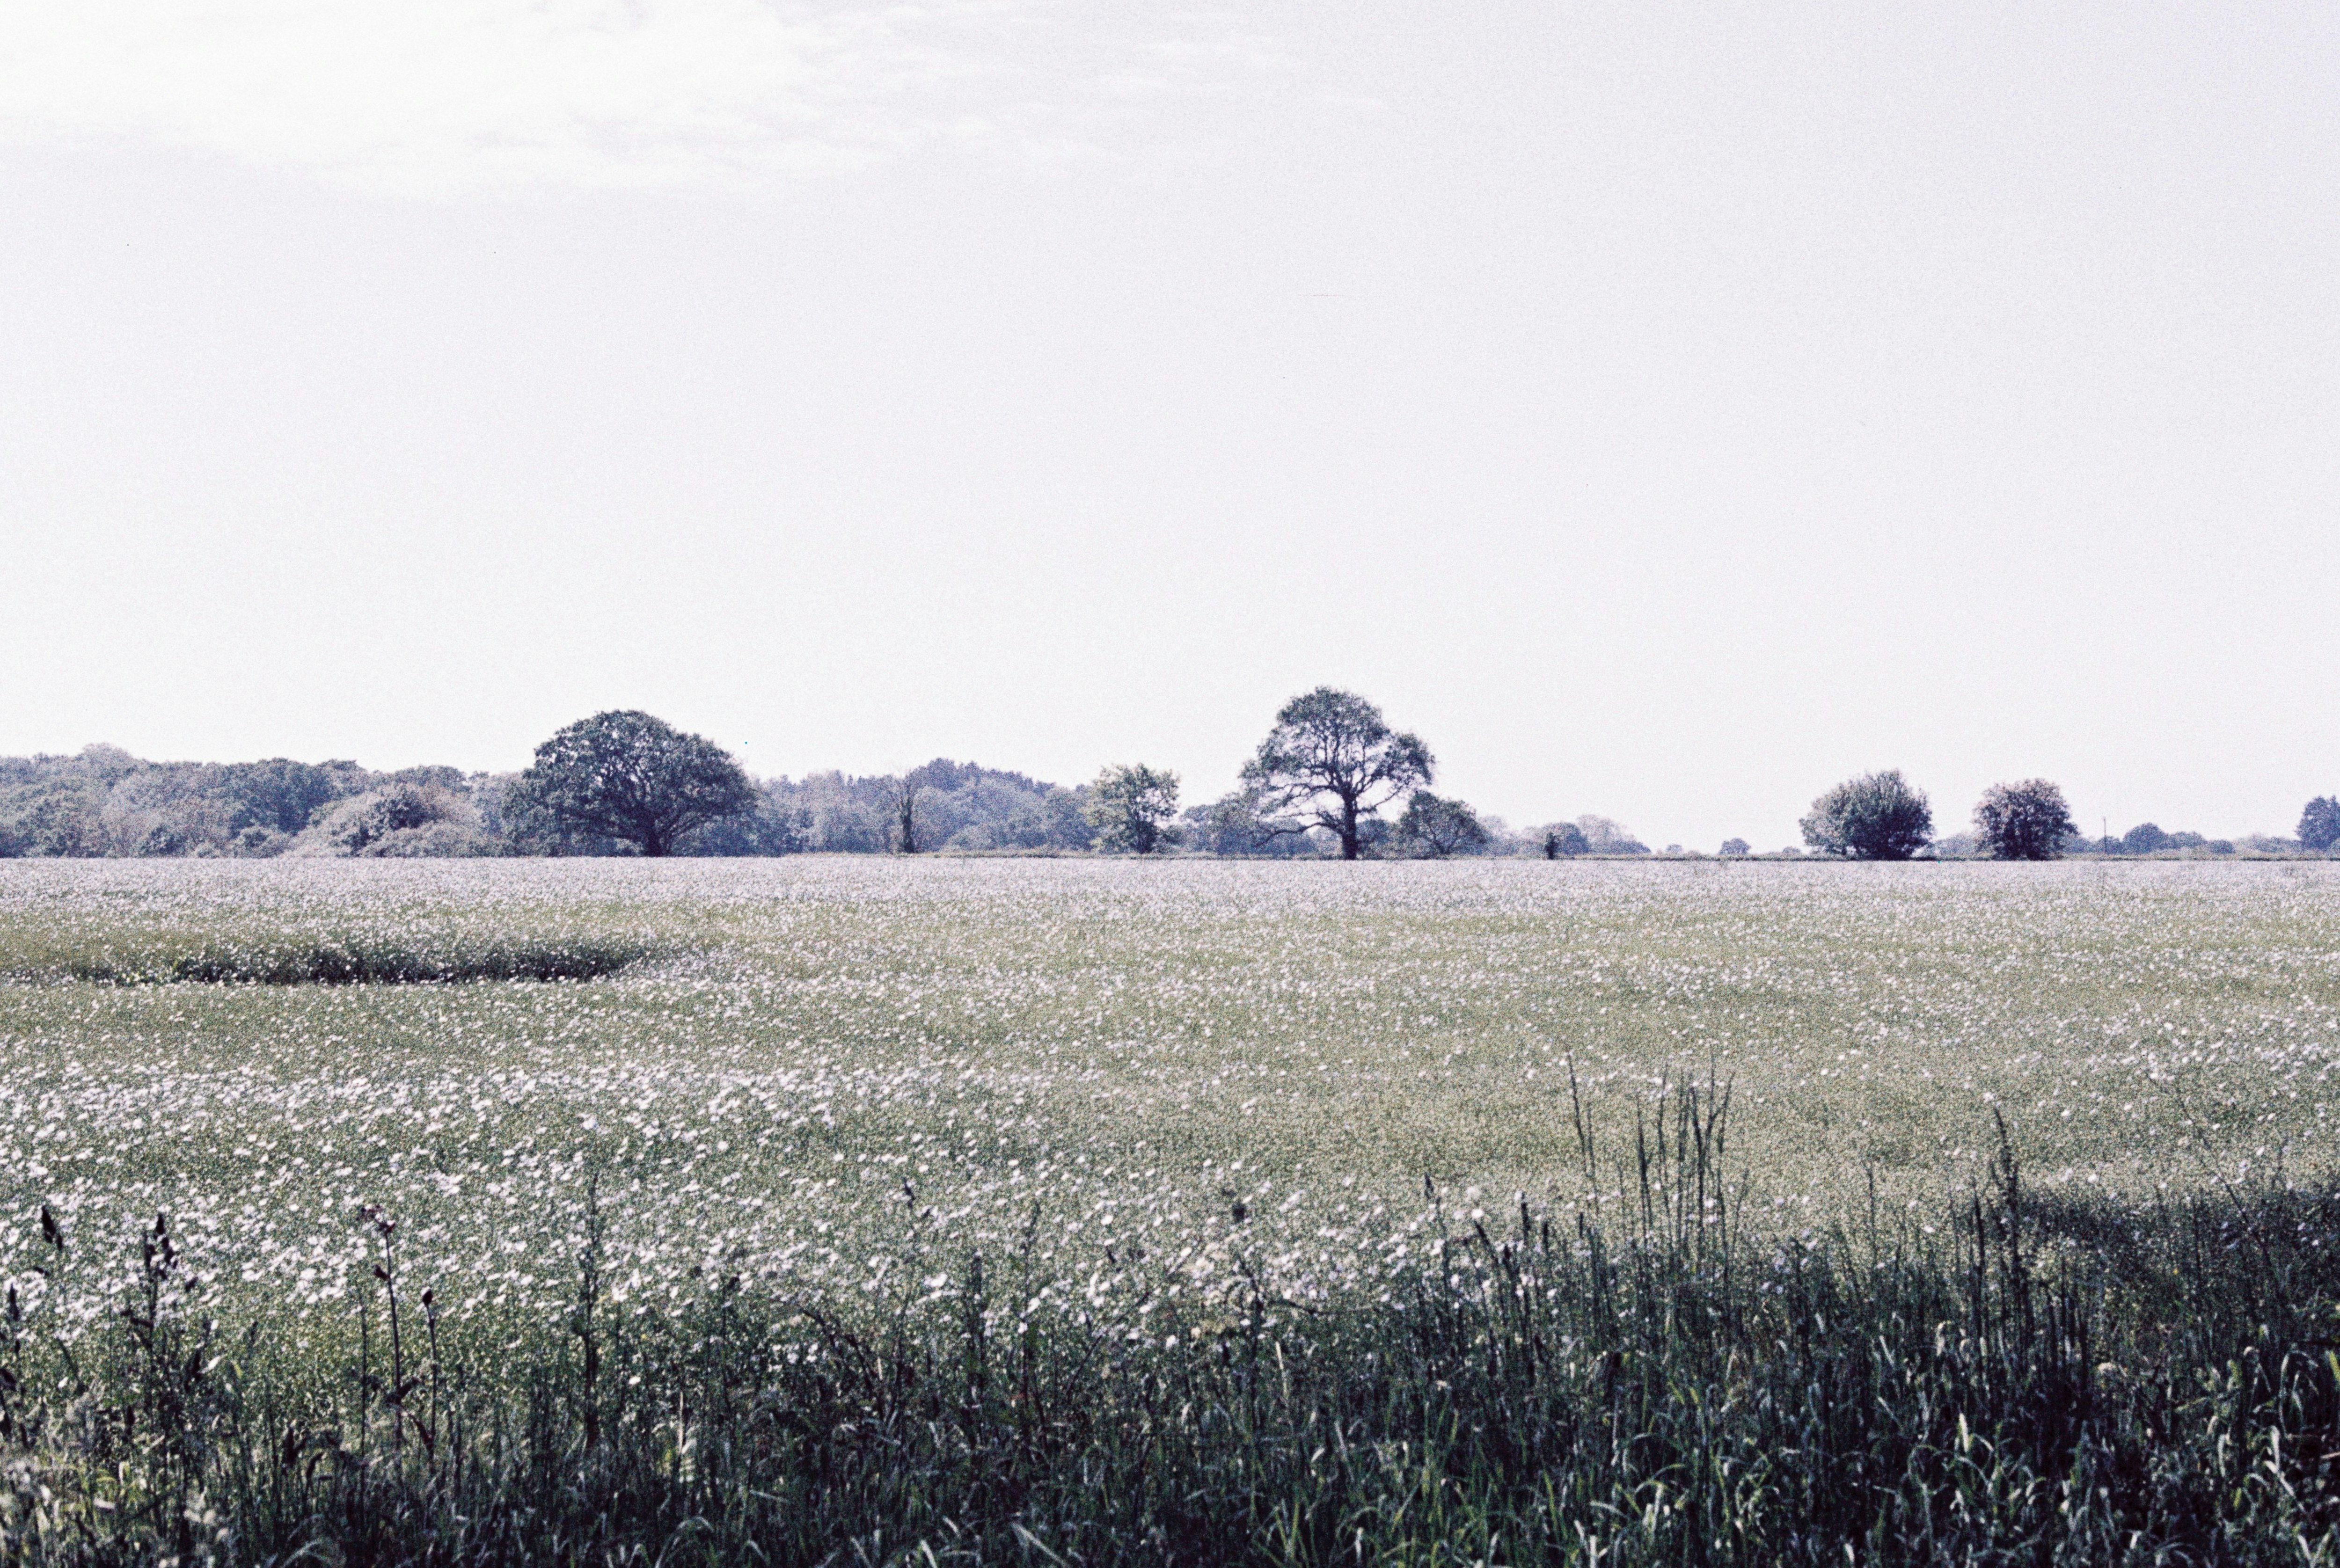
[[2072, 1382]]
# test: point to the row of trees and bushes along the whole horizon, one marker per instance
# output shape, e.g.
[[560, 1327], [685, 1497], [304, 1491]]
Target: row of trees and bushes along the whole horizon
[[1333, 778]]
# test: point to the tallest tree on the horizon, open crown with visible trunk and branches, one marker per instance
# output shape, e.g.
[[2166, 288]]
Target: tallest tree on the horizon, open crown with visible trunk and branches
[[1333, 762]]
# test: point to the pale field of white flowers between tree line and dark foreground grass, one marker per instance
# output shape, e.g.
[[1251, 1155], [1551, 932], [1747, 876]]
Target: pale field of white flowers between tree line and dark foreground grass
[[1169, 1103]]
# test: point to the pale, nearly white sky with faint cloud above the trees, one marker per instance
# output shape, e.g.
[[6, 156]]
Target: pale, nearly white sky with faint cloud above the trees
[[1663, 411]]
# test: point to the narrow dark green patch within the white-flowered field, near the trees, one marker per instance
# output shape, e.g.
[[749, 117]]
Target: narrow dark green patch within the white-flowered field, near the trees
[[352, 961]]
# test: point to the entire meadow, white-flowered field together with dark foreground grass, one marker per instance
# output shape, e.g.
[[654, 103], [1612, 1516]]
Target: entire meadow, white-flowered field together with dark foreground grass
[[1024, 1113]]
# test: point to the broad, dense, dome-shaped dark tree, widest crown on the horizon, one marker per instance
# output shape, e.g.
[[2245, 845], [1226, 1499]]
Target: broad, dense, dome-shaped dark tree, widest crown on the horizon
[[633, 778]]
